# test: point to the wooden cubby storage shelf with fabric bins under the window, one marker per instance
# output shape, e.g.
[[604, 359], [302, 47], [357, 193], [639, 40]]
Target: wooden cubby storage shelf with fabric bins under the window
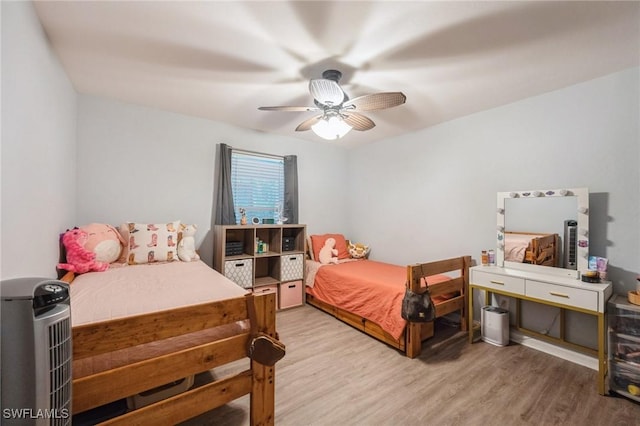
[[263, 258]]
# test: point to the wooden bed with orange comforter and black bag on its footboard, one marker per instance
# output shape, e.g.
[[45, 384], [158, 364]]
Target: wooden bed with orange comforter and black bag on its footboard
[[368, 295]]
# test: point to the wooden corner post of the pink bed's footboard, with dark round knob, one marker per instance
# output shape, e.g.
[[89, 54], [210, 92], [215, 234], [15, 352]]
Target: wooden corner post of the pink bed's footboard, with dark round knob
[[263, 387]]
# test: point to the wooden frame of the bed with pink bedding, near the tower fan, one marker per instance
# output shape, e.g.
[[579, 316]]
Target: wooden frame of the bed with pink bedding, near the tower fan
[[112, 385]]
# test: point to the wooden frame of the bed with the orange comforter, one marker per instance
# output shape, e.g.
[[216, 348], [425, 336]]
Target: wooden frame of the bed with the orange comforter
[[410, 343]]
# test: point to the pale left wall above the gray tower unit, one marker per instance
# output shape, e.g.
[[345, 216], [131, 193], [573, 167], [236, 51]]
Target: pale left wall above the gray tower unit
[[38, 147]]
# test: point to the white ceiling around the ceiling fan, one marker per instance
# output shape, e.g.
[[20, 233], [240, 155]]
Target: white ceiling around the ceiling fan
[[221, 60]]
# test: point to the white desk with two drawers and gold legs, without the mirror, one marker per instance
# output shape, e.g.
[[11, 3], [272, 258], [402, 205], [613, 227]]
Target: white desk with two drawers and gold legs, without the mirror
[[562, 292]]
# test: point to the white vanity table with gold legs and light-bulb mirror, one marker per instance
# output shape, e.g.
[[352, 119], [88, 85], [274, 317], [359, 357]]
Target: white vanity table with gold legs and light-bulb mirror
[[556, 286]]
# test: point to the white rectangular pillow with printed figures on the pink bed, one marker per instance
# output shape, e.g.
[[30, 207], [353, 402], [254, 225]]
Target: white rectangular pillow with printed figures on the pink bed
[[152, 242]]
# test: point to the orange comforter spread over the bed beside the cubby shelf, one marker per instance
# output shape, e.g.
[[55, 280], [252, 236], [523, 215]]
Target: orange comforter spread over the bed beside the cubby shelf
[[370, 289]]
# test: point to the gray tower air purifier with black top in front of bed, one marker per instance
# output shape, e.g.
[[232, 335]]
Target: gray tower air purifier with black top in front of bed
[[36, 352]]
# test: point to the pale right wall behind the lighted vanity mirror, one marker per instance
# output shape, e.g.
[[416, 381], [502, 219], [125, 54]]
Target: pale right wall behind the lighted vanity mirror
[[432, 194]]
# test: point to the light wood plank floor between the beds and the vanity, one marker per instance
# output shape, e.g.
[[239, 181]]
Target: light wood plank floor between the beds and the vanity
[[335, 375]]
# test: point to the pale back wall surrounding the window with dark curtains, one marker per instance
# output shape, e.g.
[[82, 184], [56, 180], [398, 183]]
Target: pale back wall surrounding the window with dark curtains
[[147, 165]]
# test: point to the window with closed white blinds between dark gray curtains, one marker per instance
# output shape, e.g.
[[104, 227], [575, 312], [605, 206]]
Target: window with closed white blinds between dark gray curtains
[[257, 183]]
